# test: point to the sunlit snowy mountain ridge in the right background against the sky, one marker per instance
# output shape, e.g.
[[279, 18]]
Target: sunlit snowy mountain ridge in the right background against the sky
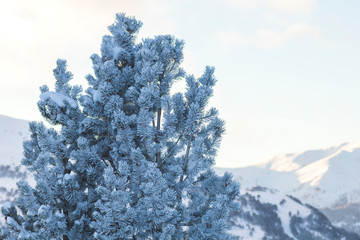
[[323, 178]]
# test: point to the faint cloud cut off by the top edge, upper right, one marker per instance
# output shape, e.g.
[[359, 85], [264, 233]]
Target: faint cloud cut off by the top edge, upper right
[[287, 6]]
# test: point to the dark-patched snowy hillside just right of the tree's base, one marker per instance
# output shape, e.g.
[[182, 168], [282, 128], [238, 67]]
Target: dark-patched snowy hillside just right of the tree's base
[[268, 214]]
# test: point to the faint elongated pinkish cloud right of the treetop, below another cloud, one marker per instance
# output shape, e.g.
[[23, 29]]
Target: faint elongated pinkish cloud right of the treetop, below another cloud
[[266, 38]]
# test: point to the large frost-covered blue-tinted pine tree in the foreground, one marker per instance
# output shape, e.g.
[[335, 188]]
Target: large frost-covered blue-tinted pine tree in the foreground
[[128, 160]]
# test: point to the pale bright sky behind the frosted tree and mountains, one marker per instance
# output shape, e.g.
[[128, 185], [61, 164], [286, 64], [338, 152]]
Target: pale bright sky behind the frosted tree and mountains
[[288, 71]]
